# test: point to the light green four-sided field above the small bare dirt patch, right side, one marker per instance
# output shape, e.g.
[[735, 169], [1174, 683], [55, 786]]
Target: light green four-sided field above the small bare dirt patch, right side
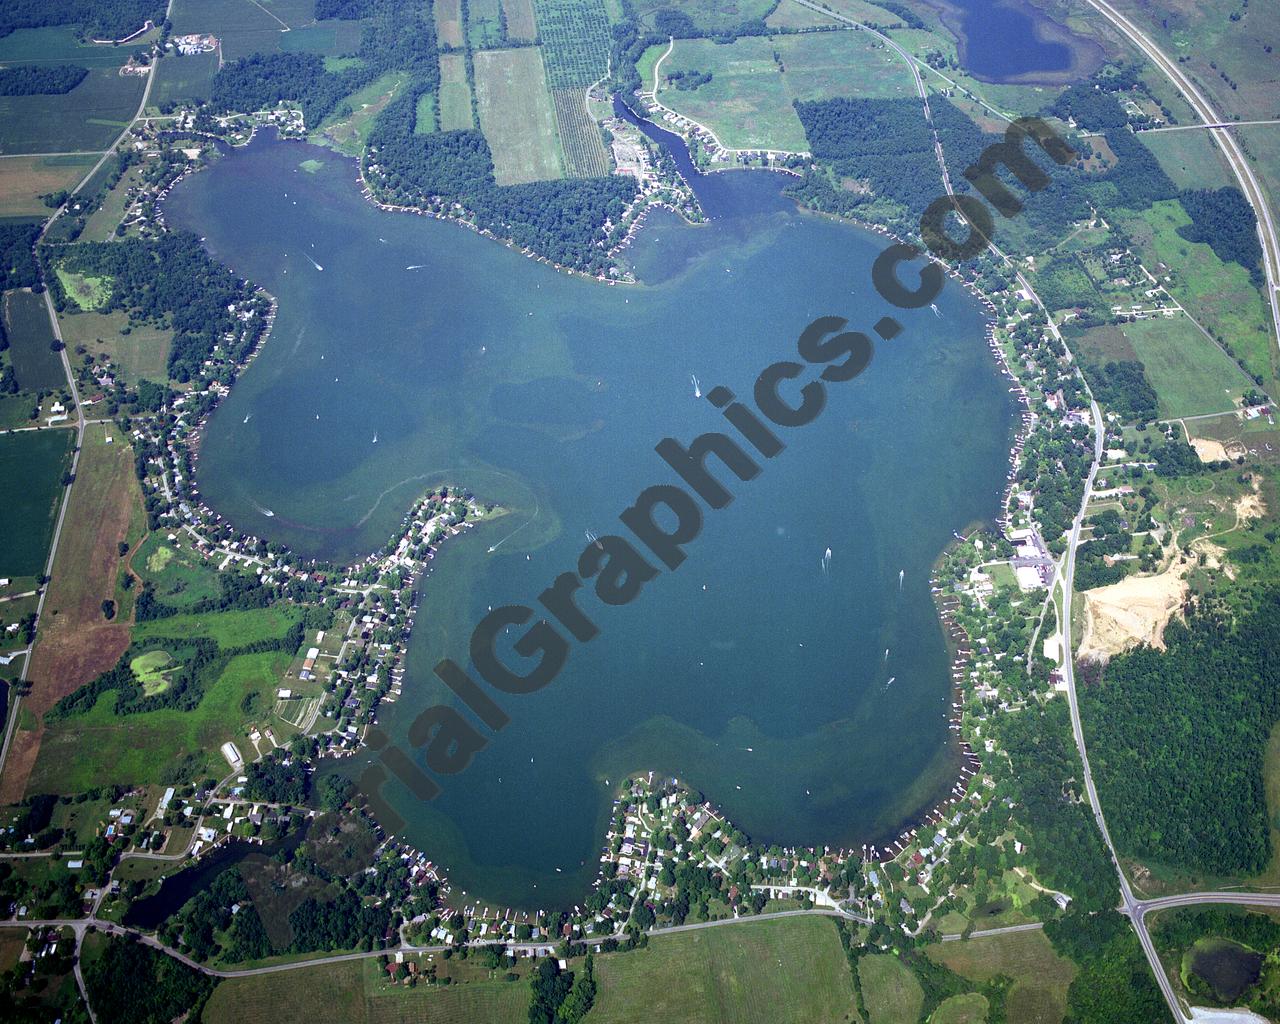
[[1192, 376]]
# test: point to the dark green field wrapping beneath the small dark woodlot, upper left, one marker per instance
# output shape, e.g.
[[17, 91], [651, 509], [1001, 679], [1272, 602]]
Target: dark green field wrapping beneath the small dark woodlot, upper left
[[90, 117]]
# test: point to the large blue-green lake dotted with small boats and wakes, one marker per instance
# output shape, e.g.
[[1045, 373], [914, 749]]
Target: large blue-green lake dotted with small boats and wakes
[[812, 706]]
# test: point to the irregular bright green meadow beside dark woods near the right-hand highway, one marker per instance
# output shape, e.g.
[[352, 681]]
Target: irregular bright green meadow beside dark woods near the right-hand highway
[[1220, 296]]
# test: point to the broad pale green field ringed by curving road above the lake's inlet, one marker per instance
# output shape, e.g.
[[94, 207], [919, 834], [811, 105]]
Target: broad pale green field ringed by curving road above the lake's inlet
[[756, 81]]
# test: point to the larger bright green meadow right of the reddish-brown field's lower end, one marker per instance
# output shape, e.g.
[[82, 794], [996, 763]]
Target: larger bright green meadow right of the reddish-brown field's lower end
[[102, 748]]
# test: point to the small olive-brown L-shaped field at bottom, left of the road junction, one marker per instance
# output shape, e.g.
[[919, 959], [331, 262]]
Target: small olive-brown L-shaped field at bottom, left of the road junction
[[1041, 977]]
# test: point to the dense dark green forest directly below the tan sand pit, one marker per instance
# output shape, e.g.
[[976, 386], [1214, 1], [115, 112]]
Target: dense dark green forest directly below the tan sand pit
[[1177, 740]]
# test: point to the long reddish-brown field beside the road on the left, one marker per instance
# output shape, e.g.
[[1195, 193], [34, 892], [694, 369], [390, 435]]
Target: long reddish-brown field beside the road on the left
[[76, 642]]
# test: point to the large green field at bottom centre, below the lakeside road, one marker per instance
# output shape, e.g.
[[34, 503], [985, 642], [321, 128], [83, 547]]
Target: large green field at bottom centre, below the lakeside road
[[770, 972]]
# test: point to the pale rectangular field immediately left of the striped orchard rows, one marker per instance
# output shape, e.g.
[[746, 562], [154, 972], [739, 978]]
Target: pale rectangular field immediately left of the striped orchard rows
[[516, 116]]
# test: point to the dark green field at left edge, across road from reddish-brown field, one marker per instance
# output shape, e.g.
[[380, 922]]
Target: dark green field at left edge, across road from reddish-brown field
[[31, 491]]
